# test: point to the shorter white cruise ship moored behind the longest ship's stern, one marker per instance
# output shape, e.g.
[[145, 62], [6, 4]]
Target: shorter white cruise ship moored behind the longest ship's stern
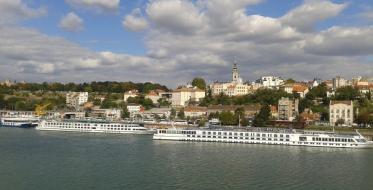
[[93, 126]]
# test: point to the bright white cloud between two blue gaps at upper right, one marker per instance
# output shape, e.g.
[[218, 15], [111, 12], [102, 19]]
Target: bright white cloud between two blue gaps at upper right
[[310, 12]]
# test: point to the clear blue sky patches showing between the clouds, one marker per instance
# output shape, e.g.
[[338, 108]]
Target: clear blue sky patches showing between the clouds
[[105, 32]]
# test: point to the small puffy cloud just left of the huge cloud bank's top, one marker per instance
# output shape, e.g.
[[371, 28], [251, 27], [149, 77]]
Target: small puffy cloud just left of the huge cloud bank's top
[[135, 21]]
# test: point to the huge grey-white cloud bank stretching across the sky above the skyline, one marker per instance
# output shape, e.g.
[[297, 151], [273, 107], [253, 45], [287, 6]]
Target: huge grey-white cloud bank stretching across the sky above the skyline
[[185, 39]]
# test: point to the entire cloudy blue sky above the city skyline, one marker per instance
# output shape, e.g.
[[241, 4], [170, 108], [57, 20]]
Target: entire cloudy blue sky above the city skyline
[[172, 41]]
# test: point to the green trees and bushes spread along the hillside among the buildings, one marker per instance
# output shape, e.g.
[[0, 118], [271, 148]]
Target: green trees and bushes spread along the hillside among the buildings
[[107, 95]]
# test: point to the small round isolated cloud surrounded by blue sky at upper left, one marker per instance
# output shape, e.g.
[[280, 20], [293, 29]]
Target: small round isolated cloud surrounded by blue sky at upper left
[[71, 22]]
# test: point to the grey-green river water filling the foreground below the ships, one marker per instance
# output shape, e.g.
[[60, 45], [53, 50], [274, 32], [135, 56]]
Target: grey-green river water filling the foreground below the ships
[[33, 159]]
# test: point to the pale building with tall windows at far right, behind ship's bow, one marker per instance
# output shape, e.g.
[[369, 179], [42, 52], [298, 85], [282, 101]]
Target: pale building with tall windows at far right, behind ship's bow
[[341, 111]]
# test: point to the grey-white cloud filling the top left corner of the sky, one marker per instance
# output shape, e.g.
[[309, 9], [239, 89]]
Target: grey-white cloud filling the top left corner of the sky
[[14, 10]]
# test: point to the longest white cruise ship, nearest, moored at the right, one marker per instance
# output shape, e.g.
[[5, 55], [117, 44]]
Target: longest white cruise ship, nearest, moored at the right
[[266, 136]]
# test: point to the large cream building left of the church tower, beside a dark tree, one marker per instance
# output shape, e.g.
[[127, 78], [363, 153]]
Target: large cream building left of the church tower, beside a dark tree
[[184, 95]]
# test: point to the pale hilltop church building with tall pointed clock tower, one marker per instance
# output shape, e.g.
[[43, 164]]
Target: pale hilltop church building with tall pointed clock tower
[[234, 88]]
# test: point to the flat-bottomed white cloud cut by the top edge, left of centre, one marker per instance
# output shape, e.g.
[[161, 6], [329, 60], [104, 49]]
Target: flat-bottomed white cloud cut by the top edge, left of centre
[[98, 6]]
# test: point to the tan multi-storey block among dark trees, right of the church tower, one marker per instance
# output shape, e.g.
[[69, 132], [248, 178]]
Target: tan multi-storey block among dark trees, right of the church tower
[[287, 109]]
